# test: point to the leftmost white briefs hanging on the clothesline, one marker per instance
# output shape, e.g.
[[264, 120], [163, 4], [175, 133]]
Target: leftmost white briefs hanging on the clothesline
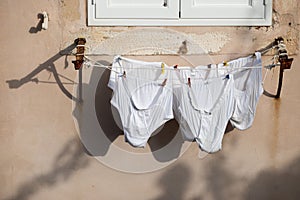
[[143, 102]]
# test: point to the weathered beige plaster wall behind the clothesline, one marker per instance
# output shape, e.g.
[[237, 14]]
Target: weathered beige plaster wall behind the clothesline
[[42, 157]]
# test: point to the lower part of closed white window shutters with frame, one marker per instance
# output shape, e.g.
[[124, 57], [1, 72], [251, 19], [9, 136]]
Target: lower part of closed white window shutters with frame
[[179, 12]]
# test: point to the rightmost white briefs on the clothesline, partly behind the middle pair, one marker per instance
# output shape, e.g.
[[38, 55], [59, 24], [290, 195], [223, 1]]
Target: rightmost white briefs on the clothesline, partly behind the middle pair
[[248, 89]]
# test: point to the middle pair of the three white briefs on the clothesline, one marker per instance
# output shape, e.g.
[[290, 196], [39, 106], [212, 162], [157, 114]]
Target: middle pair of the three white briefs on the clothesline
[[204, 108]]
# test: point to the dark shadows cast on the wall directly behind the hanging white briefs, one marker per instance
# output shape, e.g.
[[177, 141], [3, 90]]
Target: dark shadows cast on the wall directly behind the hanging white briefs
[[96, 95]]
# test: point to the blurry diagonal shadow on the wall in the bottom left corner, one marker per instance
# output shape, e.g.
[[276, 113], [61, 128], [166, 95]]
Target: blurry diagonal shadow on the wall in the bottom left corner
[[71, 158]]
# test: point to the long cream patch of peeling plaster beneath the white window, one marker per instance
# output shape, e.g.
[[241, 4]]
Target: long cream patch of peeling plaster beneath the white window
[[159, 41]]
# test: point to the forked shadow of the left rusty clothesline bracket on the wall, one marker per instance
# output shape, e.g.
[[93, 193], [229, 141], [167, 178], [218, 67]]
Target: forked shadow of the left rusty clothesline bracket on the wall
[[49, 66]]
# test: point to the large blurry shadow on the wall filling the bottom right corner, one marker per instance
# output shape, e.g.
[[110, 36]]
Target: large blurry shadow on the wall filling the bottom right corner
[[223, 183]]
